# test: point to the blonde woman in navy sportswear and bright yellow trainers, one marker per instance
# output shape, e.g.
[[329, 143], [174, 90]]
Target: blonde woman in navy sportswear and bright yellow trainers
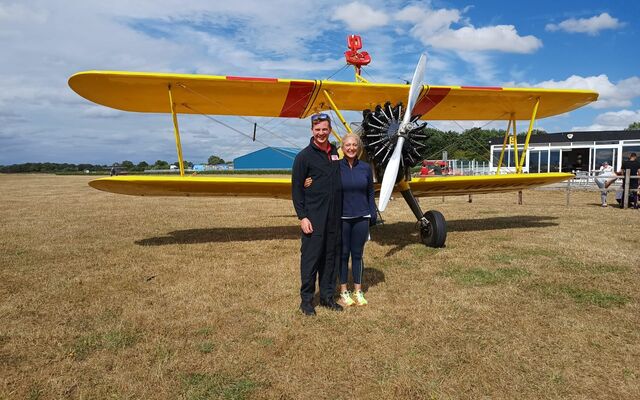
[[358, 212]]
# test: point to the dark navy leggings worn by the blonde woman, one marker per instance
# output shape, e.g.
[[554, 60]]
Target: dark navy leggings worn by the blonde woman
[[355, 232]]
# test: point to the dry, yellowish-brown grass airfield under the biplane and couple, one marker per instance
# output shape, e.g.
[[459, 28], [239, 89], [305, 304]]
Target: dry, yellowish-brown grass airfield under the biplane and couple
[[115, 297]]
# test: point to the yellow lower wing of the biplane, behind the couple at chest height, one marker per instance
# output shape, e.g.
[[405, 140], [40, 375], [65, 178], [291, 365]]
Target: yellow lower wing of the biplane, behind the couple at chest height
[[281, 187]]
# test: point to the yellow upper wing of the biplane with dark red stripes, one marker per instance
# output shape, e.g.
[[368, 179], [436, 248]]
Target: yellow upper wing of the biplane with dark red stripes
[[229, 95]]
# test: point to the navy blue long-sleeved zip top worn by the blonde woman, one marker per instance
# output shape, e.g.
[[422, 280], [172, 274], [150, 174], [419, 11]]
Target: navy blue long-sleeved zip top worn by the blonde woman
[[357, 190]]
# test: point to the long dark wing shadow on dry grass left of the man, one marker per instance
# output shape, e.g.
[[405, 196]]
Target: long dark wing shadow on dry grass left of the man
[[194, 236]]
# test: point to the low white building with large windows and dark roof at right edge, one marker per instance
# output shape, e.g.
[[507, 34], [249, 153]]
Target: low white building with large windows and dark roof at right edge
[[568, 151]]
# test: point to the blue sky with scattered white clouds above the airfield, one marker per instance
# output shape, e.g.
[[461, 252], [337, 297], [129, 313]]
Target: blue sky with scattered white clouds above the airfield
[[556, 44]]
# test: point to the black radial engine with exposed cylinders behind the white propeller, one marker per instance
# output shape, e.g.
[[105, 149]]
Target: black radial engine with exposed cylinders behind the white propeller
[[380, 135]]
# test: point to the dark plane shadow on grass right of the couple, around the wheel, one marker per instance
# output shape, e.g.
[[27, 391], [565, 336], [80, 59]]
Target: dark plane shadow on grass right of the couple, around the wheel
[[401, 234]]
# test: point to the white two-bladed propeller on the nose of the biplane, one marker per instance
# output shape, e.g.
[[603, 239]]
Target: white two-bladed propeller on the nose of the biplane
[[391, 171]]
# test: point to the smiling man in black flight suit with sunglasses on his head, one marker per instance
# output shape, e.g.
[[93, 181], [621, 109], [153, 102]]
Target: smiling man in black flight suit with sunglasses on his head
[[319, 209]]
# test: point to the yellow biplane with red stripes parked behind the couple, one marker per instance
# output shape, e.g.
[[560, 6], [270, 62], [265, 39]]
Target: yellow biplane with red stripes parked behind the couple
[[390, 130]]
